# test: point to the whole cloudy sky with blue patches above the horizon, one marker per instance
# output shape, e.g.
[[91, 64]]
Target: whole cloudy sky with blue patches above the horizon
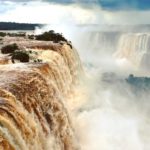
[[76, 11]]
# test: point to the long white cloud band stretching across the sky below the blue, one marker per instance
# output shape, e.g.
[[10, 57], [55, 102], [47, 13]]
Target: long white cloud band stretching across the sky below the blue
[[42, 12]]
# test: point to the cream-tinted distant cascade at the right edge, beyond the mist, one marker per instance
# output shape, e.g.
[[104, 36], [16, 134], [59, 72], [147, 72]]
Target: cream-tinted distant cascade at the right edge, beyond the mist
[[135, 47]]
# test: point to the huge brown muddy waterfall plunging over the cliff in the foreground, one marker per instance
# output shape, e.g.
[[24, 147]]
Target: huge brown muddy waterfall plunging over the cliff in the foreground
[[32, 97]]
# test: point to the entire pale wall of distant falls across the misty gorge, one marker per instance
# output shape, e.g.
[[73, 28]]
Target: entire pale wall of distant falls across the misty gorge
[[122, 45]]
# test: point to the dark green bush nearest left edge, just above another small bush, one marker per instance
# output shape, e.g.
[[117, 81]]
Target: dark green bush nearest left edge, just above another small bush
[[9, 48]]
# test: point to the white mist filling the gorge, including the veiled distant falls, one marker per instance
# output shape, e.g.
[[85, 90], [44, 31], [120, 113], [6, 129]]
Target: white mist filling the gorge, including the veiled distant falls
[[113, 113]]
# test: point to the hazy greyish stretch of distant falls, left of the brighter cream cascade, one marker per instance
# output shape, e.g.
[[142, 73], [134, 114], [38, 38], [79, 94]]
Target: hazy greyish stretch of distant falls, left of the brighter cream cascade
[[99, 41]]
